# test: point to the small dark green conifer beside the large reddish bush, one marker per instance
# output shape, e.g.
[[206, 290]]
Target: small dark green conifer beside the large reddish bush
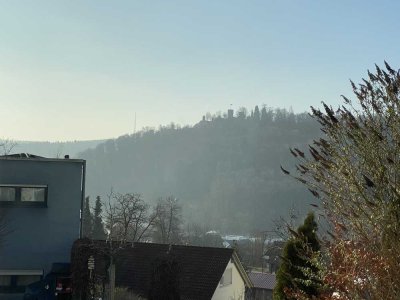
[[297, 272]]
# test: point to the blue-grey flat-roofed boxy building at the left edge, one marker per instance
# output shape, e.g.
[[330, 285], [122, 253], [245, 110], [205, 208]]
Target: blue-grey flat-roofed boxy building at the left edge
[[42, 199]]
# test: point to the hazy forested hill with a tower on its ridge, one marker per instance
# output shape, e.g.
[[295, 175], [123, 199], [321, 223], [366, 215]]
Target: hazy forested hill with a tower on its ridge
[[224, 170]]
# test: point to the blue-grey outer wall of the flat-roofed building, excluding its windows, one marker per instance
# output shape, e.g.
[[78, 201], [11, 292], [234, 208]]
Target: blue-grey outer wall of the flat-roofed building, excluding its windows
[[41, 236]]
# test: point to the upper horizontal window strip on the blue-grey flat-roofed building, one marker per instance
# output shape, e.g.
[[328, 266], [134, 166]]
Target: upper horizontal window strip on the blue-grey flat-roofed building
[[23, 195]]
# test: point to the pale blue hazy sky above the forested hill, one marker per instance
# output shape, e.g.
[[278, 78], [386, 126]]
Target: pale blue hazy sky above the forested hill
[[72, 70]]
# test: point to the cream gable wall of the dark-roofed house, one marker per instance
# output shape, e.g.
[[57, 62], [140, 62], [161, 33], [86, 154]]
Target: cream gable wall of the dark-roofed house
[[233, 291]]
